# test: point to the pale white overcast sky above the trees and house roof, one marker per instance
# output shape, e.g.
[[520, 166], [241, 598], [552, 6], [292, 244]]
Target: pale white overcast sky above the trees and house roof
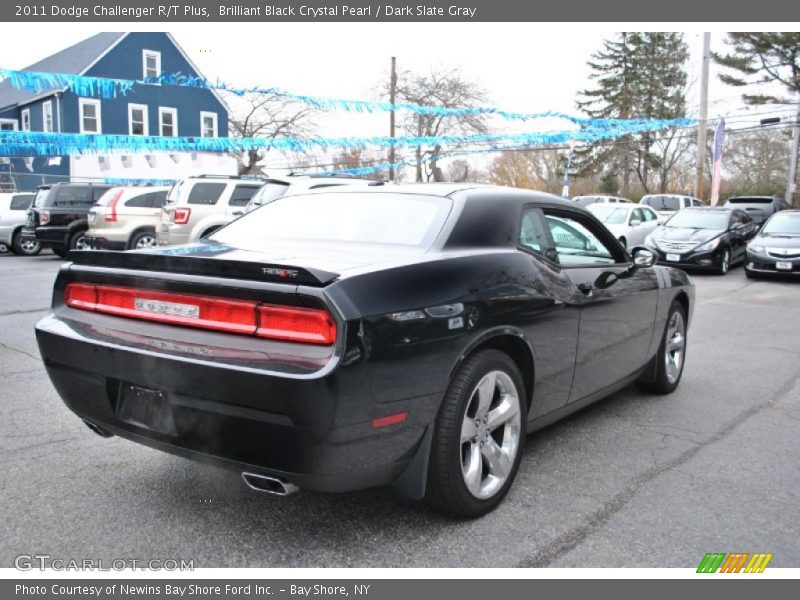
[[525, 67]]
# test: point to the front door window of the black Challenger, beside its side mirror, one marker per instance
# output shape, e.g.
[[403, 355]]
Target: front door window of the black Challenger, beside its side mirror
[[578, 241]]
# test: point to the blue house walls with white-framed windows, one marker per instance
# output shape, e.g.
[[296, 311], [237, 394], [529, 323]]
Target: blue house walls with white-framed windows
[[145, 110]]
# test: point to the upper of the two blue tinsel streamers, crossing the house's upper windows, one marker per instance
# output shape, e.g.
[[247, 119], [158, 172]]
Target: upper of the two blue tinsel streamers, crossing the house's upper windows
[[101, 87]]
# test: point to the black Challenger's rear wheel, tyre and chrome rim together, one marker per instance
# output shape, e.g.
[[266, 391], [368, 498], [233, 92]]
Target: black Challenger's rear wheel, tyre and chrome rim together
[[478, 437]]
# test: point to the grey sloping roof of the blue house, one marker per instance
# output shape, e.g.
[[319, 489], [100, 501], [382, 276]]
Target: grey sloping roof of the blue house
[[73, 61]]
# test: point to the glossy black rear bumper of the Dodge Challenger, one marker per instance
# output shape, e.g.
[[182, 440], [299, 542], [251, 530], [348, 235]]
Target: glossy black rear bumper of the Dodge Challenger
[[314, 432]]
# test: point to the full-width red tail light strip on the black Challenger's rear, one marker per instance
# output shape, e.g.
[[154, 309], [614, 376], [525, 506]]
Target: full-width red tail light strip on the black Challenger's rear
[[305, 325]]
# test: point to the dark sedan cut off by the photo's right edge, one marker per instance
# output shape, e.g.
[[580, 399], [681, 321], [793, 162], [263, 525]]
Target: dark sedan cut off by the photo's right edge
[[776, 248]]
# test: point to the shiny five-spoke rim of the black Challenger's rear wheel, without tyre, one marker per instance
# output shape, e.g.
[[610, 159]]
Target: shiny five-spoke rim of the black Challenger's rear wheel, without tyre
[[490, 434]]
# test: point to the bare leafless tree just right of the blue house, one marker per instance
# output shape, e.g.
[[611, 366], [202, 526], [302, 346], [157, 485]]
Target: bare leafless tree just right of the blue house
[[267, 116]]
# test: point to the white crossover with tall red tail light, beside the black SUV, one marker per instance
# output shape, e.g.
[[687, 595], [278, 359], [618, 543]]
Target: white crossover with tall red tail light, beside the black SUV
[[125, 218]]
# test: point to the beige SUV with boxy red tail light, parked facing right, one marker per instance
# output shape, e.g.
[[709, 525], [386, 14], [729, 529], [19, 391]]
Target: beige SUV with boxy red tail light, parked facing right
[[197, 206]]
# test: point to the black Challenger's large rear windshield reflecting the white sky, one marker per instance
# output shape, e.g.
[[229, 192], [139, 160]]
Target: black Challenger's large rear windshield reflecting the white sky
[[393, 219]]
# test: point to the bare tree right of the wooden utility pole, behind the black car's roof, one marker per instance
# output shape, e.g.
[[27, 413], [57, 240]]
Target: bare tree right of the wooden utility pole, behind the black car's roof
[[439, 88]]
